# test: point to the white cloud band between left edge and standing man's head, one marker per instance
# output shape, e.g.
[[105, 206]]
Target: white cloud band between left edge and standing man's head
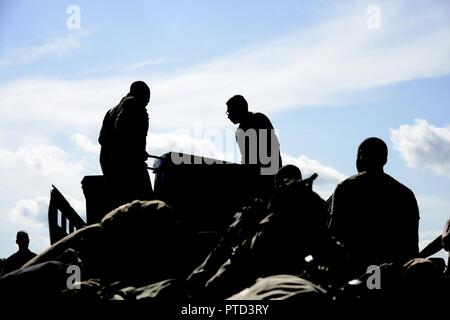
[[59, 105]]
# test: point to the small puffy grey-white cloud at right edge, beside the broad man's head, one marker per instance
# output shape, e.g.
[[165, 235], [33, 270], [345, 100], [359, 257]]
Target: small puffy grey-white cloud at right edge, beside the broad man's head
[[423, 145]]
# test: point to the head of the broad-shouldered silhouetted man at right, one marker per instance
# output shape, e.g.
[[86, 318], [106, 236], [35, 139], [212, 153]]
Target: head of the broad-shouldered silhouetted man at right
[[372, 155]]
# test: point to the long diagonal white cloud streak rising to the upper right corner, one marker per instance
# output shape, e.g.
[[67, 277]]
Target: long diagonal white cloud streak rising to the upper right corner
[[317, 66]]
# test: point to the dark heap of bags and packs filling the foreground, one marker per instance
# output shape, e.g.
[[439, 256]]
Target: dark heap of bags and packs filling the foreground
[[145, 251]]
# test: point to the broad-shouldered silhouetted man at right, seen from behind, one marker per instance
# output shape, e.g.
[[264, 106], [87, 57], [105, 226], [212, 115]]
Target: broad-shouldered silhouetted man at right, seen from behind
[[373, 215]]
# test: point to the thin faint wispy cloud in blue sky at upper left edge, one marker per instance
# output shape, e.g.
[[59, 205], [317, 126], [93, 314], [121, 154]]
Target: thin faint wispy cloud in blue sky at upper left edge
[[56, 47]]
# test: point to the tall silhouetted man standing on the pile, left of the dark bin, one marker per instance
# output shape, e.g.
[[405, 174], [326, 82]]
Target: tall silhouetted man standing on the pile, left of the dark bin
[[123, 142]]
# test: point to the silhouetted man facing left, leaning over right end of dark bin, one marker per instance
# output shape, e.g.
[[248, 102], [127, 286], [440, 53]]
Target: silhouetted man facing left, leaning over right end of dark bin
[[255, 136]]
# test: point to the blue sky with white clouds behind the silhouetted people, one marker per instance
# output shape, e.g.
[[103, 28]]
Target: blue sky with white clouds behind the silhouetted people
[[323, 75]]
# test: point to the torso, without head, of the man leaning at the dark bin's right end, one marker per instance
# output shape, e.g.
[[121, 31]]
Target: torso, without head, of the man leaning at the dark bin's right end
[[257, 121]]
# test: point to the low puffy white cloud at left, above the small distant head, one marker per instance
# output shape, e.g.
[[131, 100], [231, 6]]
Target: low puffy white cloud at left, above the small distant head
[[28, 172]]
